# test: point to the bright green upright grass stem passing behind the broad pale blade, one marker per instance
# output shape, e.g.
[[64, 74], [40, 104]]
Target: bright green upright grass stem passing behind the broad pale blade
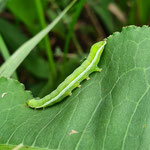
[[48, 49]]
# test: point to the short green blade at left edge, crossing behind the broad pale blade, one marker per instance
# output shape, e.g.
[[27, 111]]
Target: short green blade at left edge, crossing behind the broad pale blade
[[5, 53]]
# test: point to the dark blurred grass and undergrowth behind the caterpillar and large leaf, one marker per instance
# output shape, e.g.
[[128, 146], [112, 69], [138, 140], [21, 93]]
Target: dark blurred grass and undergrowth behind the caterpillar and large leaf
[[87, 22]]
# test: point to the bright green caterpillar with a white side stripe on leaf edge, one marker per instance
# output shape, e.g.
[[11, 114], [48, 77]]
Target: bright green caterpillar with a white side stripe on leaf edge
[[73, 80]]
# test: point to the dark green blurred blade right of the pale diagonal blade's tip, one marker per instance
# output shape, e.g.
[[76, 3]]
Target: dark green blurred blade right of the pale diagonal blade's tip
[[79, 7]]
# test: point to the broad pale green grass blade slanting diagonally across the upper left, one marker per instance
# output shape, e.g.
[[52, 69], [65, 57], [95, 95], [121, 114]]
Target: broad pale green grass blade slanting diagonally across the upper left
[[16, 59]]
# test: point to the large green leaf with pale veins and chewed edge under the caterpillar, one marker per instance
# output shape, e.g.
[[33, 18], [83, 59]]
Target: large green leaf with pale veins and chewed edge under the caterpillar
[[109, 112]]
